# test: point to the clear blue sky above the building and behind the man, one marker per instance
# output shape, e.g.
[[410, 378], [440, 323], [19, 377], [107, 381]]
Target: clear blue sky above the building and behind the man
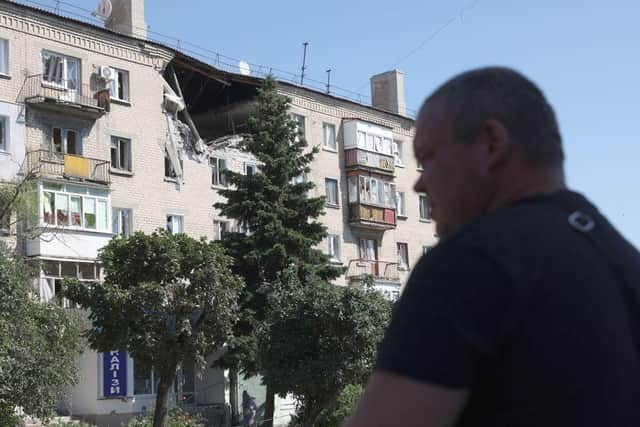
[[584, 54]]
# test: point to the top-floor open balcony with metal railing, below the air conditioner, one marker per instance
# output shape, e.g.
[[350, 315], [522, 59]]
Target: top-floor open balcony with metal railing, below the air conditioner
[[65, 97]]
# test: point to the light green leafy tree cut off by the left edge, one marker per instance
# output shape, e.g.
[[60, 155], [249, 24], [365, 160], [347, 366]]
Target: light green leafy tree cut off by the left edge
[[38, 345]]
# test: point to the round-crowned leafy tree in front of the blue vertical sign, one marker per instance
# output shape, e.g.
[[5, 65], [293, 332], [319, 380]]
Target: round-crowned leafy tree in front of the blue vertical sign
[[165, 299]]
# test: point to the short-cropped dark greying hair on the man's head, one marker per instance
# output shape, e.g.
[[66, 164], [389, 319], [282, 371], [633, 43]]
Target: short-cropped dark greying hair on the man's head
[[505, 95]]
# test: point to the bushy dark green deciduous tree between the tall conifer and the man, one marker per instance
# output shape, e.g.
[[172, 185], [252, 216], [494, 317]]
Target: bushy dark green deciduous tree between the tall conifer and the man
[[318, 339]]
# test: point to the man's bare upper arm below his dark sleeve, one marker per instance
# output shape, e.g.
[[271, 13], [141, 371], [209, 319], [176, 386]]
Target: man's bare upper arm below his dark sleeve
[[392, 400]]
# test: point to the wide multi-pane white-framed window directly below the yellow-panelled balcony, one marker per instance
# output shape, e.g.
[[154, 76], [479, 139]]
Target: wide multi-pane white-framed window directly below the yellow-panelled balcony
[[78, 207]]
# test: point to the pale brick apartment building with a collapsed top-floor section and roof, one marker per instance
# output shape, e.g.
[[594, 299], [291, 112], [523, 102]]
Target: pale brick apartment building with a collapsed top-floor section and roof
[[120, 134]]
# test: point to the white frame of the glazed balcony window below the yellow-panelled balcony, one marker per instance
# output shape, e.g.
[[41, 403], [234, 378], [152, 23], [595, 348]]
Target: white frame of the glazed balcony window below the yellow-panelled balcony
[[86, 197]]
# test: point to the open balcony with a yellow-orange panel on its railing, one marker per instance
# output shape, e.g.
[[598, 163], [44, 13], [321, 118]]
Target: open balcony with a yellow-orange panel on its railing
[[47, 164]]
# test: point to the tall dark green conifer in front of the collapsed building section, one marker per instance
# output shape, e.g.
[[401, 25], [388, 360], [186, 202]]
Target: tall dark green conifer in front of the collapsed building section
[[281, 218]]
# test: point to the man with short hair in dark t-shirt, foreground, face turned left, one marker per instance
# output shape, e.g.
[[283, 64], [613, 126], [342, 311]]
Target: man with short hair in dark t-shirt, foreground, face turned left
[[522, 315]]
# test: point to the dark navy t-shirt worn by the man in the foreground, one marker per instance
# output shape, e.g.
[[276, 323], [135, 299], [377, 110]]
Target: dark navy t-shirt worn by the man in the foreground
[[529, 315]]
